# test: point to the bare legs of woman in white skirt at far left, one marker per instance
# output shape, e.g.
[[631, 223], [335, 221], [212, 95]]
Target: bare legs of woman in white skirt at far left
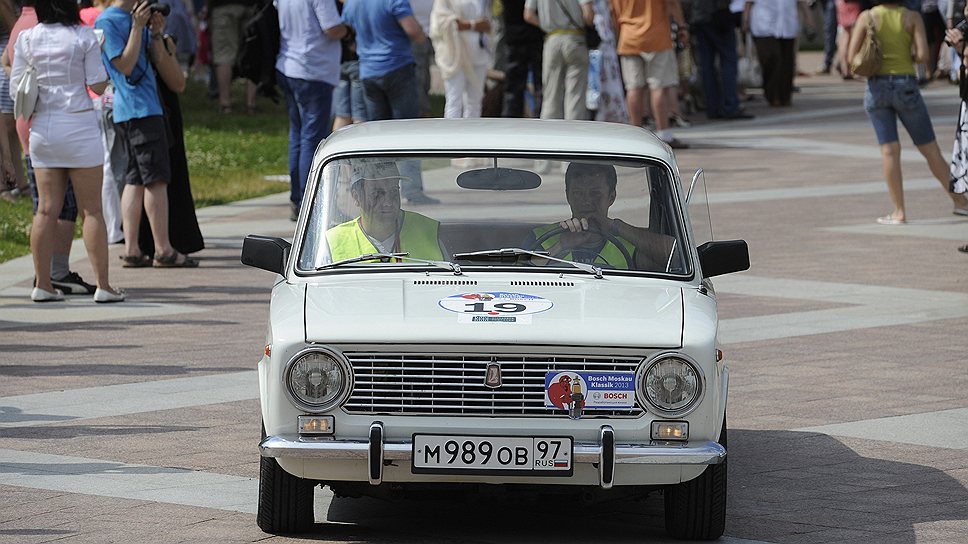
[[46, 230]]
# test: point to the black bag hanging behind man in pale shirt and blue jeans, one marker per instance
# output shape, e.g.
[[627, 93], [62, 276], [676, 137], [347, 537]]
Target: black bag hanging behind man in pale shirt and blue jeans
[[258, 49]]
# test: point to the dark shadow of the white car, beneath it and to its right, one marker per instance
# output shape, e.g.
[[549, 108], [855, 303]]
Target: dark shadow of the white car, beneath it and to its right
[[784, 486]]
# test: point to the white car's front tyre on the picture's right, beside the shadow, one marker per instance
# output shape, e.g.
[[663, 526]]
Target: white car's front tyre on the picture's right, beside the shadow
[[696, 510]]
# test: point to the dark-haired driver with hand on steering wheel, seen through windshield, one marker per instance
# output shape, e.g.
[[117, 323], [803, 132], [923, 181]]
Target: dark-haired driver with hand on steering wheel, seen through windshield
[[590, 236]]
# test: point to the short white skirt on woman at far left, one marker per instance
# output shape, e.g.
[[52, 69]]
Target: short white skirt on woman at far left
[[66, 140]]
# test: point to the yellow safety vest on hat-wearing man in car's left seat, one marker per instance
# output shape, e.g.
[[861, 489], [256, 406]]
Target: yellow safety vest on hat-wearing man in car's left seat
[[418, 236]]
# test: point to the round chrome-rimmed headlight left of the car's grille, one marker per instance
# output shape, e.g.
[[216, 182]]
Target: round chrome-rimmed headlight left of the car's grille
[[317, 379]]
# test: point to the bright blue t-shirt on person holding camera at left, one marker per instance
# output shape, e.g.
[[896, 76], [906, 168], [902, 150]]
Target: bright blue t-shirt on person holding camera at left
[[135, 96]]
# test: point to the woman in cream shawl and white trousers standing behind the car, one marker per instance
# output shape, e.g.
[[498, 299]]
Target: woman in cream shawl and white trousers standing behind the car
[[459, 30]]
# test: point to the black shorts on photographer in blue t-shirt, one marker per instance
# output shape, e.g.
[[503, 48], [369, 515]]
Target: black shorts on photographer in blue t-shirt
[[146, 146]]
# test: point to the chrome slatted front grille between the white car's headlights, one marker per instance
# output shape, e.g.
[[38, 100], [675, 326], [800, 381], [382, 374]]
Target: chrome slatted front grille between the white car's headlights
[[453, 384]]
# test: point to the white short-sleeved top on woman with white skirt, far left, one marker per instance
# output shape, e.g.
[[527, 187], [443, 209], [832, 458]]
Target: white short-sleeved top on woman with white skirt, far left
[[66, 59]]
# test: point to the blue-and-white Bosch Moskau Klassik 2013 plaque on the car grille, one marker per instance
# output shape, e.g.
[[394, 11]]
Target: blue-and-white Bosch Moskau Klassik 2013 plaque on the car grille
[[591, 390]]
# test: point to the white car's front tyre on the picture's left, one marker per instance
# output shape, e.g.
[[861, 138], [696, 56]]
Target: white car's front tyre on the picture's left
[[285, 501]]
